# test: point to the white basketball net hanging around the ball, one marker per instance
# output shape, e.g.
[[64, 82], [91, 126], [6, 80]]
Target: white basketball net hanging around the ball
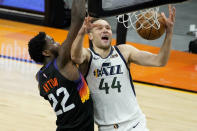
[[146, 18]]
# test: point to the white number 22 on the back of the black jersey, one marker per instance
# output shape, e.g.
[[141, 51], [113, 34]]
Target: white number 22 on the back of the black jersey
[[63, 101]]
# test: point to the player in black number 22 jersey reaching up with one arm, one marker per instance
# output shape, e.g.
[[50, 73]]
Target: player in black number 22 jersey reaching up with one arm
[[59, 80]]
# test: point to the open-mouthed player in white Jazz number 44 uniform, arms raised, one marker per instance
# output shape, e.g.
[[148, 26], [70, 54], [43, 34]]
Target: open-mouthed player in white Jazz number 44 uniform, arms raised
[[106, 69]]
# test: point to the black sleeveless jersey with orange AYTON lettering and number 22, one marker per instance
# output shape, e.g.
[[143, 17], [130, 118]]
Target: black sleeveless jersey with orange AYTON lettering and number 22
[[70, 100]]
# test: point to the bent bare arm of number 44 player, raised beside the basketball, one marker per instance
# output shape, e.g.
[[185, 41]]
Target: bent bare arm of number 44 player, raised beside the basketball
[[149, 59]]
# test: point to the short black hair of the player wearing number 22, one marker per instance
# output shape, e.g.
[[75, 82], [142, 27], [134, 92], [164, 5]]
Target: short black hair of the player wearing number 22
[[36, 46]]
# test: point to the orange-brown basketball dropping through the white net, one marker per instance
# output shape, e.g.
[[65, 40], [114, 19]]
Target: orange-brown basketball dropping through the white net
[[148, 28]]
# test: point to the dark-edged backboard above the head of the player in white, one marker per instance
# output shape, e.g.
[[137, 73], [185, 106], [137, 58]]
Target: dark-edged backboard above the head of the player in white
[[104, 8]]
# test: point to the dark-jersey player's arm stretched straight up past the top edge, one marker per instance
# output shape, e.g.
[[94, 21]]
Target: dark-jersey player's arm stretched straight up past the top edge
[[77, 17]]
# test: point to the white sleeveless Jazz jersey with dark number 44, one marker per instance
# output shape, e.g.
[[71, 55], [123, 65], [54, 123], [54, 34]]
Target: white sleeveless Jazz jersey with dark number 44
[[112, 89]]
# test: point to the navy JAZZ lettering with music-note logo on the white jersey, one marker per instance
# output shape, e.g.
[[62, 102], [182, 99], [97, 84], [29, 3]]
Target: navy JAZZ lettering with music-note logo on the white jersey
[[108, 70]]
